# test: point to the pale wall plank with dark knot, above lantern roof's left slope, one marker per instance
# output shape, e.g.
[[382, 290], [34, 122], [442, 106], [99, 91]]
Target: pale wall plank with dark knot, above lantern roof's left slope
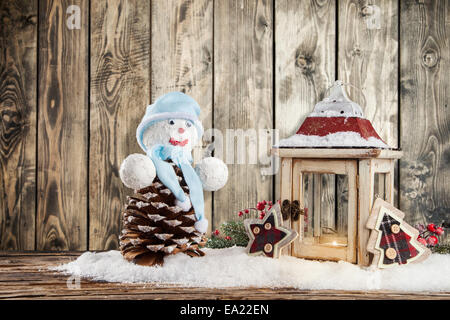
[[305, 60]]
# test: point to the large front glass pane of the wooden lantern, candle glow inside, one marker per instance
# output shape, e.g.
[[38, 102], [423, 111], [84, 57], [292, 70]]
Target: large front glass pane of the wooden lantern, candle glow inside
[[326, 198]]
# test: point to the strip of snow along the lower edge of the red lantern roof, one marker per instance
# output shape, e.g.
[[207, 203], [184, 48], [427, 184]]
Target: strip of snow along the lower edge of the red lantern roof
[[338, 139]]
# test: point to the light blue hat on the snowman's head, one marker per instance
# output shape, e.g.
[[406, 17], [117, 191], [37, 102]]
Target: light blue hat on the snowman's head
[[173, 105]]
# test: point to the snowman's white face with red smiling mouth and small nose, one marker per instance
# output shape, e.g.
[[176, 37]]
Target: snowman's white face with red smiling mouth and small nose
[[176, 132]]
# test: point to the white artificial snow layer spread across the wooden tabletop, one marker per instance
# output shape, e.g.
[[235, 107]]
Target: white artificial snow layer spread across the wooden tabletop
[[232, 267]]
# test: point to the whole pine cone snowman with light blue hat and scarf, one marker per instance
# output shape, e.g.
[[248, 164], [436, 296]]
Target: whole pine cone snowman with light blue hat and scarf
[[166, 213]]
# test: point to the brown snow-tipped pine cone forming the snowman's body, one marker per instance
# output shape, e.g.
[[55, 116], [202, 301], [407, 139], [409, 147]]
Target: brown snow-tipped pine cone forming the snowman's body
[[154, 227]]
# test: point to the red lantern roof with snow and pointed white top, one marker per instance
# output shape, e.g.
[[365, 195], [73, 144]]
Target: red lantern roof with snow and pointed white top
[[336, 121]]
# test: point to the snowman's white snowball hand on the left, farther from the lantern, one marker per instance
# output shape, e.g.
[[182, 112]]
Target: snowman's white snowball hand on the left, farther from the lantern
[[137, 171]]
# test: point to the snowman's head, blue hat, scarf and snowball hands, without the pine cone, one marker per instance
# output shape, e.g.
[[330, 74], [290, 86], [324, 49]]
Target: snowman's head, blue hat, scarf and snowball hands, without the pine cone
[[169, 130]]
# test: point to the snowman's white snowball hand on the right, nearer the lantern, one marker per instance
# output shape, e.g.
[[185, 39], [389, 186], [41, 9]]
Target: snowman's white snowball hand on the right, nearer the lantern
[[213, 173]]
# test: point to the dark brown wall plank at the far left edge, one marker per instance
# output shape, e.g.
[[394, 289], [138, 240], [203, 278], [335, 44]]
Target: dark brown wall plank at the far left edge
[[18, 43]]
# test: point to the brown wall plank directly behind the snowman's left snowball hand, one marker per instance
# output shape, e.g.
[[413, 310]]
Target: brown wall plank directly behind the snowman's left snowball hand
[[120, 91]]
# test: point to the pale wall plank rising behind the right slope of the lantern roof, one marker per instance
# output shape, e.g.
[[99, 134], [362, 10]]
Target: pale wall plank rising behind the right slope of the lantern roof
[[368, 59]]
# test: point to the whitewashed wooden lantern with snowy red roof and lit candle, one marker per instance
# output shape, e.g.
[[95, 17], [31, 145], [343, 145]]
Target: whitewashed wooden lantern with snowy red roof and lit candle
[[335, 149]]
